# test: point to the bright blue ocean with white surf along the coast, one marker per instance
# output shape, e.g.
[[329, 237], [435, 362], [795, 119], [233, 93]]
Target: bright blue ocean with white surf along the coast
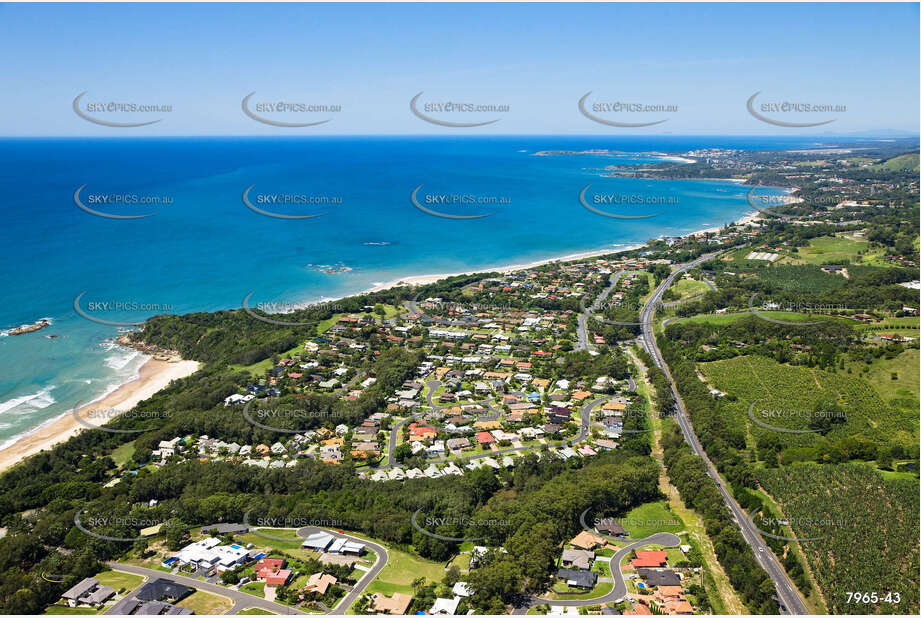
[[202, 248]]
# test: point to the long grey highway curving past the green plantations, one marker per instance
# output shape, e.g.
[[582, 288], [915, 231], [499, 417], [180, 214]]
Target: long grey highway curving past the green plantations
[[790, 599]]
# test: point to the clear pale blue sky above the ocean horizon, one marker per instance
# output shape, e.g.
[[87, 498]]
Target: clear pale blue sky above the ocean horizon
[[537, 58]]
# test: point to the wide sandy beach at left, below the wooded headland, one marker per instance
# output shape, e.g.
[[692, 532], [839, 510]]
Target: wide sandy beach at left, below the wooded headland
[[154, 375]]
